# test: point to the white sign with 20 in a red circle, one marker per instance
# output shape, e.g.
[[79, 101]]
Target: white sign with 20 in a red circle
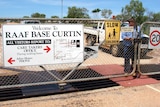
[[154, 39]]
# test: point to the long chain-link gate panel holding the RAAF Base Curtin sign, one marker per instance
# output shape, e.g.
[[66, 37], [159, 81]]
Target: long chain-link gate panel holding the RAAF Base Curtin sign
[[106, 64]]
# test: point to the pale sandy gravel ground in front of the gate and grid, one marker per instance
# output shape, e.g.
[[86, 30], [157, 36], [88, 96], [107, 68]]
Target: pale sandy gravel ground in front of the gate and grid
[[141, 96]]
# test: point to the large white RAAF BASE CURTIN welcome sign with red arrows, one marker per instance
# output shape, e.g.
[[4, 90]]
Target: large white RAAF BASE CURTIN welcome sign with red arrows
[[42, 44]]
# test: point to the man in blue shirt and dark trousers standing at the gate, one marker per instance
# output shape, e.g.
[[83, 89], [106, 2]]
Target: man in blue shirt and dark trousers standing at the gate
[[128, 43]]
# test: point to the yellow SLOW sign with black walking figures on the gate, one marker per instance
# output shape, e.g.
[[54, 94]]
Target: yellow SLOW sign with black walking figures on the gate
[[112, 32]]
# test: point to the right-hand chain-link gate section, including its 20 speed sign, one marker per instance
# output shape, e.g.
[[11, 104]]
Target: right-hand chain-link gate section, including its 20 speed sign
[[149, 61]]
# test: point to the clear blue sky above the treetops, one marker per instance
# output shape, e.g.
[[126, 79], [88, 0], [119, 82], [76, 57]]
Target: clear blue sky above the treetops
[[20, 8]]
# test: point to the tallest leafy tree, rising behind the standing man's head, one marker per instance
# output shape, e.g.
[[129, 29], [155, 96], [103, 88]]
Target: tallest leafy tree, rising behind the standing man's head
[[134, 9]]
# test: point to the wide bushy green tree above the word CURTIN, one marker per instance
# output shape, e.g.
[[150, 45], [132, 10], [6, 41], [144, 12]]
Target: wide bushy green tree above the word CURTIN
[[75, 12]]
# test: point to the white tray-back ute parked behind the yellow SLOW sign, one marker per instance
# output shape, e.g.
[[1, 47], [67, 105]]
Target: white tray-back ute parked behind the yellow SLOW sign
[[97, 35]]
